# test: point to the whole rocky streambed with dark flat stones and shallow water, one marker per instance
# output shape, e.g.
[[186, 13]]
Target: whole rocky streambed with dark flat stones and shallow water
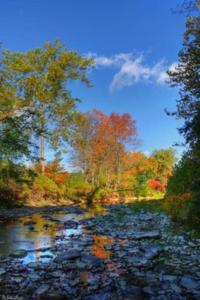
[[100, 253]]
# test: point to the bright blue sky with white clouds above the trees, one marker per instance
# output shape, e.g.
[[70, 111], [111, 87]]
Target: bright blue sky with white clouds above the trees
[[133, 43]]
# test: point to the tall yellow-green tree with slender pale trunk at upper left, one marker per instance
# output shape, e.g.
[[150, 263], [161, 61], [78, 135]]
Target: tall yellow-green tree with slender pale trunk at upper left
[[37, 81]]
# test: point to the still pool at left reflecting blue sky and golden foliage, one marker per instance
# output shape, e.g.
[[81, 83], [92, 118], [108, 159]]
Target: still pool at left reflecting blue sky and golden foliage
[[35, 234]]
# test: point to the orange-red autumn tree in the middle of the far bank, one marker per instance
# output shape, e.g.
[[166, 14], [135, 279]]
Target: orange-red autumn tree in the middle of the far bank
[[100, 146]]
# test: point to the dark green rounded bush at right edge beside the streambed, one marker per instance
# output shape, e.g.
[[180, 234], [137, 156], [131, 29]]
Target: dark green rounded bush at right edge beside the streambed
[[182, 199]]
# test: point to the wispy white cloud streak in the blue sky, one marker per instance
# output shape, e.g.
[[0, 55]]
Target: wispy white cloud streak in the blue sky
[[132, 69]]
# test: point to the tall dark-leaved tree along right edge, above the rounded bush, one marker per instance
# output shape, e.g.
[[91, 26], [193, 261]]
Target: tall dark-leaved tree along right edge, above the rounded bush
[[187, 77]]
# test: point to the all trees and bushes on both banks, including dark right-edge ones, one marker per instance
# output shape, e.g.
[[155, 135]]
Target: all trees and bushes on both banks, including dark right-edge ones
[[39, 112]]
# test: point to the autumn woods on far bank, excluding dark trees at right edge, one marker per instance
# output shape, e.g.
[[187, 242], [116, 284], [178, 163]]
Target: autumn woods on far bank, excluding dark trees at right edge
[[37, 111]]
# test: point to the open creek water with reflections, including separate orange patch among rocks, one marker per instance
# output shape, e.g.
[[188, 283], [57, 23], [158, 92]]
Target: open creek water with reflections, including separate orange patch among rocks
[[38, 233]]
